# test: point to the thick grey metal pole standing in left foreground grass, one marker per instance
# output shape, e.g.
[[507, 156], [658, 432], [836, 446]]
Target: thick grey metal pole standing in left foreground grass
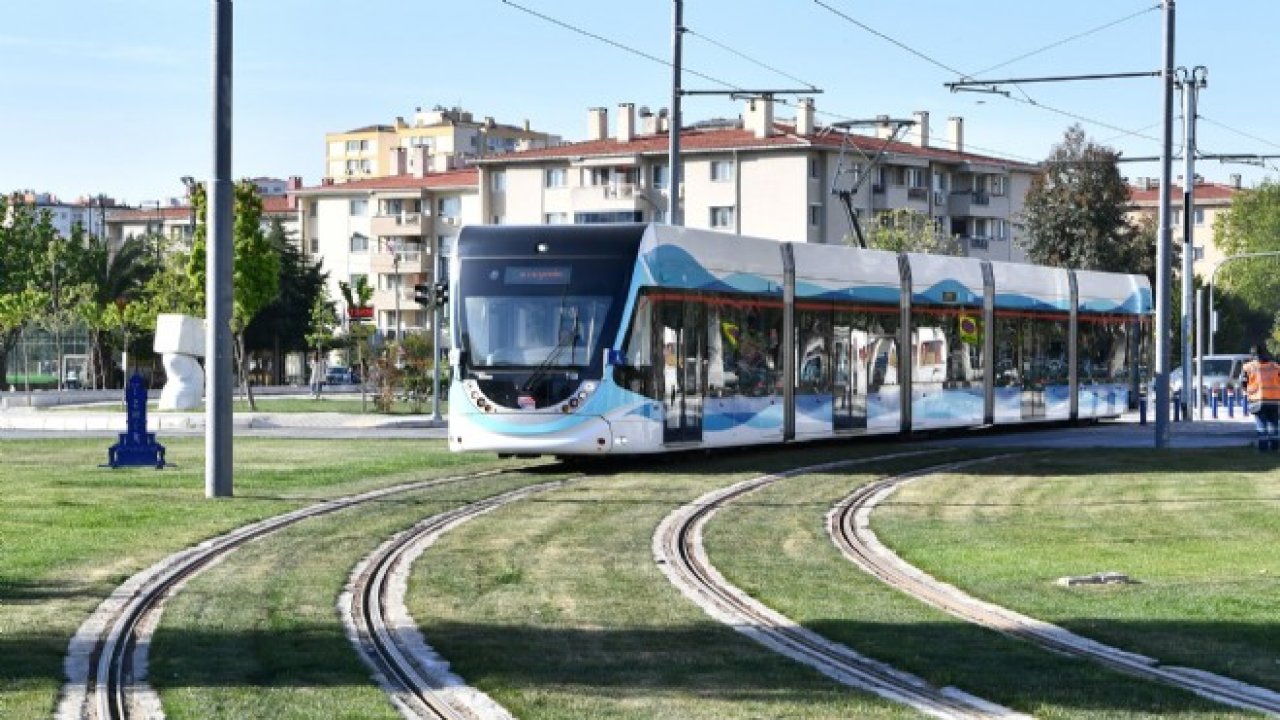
[[218, 282]]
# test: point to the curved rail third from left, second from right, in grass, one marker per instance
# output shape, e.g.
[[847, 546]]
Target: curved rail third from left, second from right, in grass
[[679, 552]]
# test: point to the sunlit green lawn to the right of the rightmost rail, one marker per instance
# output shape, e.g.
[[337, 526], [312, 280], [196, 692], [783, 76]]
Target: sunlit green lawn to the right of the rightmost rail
[[1199, 531]]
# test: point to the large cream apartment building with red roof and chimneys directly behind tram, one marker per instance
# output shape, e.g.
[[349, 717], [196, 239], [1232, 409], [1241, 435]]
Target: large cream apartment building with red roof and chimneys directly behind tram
[[762, 177]]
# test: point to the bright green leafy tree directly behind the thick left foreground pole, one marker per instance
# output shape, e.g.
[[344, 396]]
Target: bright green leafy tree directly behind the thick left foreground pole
[[255, 267]]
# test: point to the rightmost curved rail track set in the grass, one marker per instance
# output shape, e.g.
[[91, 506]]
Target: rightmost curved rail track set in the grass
[[849, 526]]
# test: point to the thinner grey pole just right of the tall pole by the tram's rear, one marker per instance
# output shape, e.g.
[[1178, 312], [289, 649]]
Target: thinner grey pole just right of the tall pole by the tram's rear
[[1191, 84]]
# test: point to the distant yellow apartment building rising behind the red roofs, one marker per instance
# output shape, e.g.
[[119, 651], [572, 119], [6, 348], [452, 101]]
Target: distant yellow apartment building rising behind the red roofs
[[433, 142]]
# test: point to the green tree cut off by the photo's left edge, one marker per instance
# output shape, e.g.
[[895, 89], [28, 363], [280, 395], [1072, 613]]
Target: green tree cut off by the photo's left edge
[[25, 239]]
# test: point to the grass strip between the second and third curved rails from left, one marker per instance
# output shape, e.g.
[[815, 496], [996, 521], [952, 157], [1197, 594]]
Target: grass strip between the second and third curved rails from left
[[557, 610]]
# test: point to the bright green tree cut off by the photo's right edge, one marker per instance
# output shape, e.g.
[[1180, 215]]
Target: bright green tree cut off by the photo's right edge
[[1252, 225]]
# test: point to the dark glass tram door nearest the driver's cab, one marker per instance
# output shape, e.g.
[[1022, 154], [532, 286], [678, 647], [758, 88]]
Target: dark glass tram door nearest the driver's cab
[[683, 329]]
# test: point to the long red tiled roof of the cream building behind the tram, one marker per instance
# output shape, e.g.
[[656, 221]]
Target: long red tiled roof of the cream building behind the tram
[[738, 139]]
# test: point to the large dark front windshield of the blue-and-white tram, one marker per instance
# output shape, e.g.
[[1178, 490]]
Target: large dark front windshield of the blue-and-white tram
[[550, 315]]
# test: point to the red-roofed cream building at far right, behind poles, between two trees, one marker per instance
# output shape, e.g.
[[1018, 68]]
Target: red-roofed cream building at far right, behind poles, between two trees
[[1209, 202]]
